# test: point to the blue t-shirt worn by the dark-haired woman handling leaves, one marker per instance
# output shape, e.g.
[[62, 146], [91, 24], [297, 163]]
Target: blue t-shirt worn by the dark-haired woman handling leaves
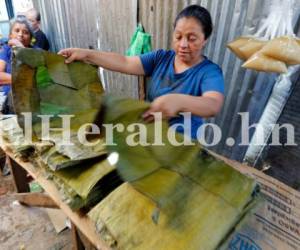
[[202, 77]]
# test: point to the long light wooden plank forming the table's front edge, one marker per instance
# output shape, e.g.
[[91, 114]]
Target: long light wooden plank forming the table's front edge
[[85, 225]]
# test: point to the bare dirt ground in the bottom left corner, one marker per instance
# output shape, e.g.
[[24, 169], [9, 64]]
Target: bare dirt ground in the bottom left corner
[[27, 228]]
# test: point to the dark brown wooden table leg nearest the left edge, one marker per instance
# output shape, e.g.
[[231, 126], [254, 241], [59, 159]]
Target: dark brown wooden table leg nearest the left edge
[[19, 175]]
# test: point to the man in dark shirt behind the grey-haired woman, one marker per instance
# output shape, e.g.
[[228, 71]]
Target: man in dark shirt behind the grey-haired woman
[[34, 17]]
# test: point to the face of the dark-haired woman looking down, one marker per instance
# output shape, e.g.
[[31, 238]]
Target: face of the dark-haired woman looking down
[[188, 40]]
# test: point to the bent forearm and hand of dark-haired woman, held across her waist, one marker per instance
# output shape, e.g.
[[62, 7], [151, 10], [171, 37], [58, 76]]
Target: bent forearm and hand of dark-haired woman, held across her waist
[[207, 105]]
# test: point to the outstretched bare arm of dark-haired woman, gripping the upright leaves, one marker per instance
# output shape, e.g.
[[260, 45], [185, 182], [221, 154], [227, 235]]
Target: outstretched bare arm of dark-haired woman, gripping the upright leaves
[[112, 61]]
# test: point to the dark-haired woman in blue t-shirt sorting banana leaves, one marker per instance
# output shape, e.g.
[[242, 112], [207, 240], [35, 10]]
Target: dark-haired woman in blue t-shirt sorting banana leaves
[[182, 79]]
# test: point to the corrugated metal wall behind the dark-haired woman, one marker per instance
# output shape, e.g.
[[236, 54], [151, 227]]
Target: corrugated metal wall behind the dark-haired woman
[[72, 23]]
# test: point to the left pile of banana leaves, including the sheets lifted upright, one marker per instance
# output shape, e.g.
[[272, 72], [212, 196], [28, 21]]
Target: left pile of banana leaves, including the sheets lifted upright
[[44, 85]]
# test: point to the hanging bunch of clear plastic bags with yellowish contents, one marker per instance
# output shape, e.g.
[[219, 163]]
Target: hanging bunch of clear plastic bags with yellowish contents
[[277, 44]]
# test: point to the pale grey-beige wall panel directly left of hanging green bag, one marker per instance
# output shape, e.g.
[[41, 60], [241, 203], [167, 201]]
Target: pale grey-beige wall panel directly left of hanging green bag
[[118, 20]]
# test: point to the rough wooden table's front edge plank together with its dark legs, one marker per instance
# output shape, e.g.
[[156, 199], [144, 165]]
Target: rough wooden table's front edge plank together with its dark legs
[[21, 169]]
